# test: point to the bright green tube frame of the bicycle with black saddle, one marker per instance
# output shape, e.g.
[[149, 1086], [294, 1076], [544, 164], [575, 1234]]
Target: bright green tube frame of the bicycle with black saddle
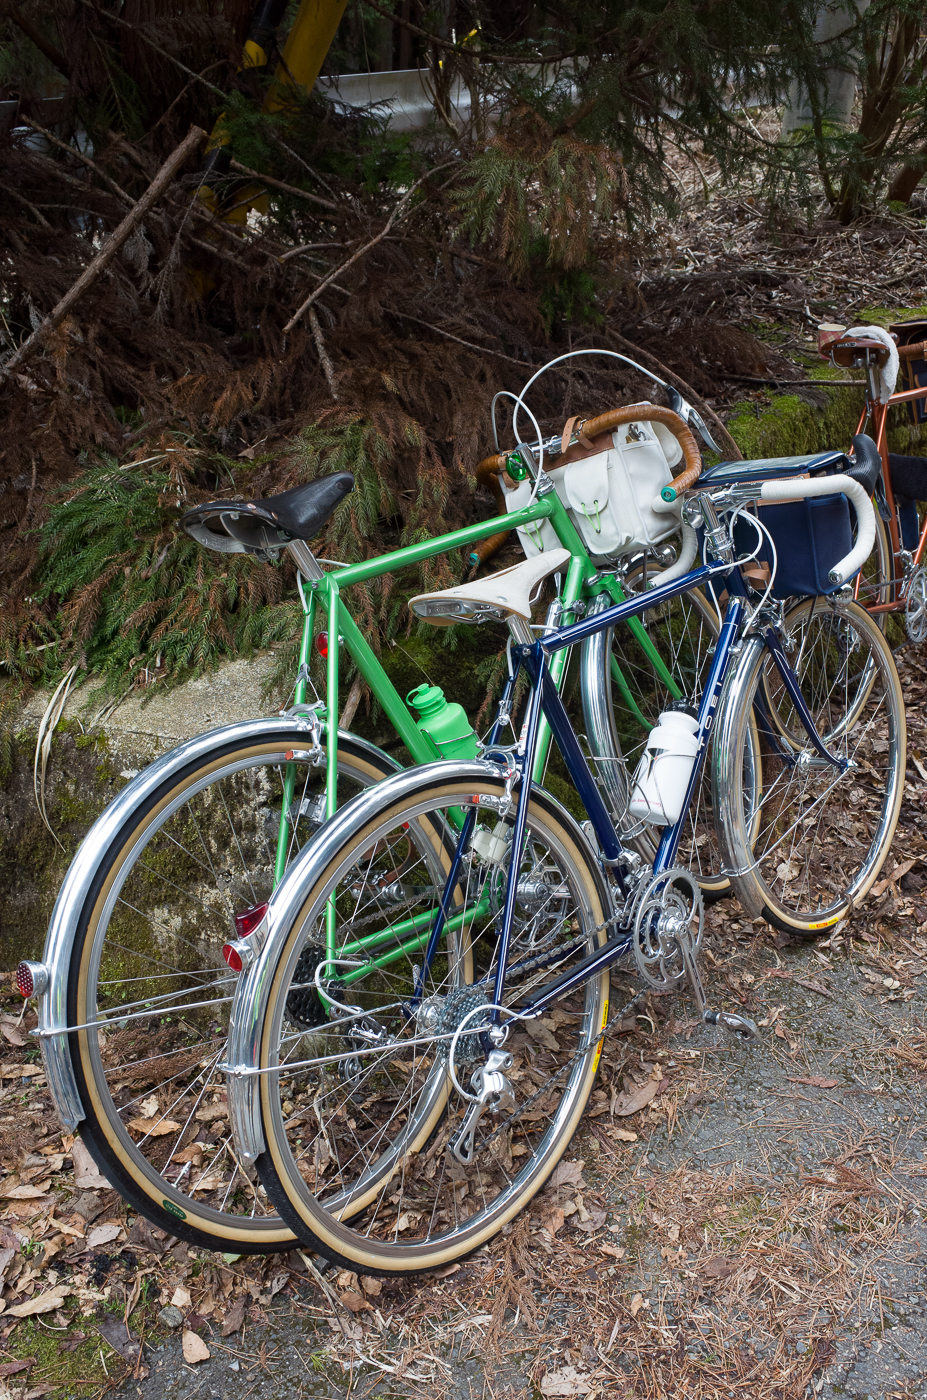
[[582, 580]]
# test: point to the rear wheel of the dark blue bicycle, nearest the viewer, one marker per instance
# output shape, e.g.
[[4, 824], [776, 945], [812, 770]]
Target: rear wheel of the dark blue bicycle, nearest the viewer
[[363, 1112]]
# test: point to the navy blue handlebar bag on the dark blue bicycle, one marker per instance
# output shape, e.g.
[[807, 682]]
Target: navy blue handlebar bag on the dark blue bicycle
[[811, 537]]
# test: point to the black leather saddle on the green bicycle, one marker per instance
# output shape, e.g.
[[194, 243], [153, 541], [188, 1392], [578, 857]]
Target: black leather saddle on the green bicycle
[[270, 523]]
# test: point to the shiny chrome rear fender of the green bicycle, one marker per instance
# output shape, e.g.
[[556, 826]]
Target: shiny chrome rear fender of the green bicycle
[[62, 932]]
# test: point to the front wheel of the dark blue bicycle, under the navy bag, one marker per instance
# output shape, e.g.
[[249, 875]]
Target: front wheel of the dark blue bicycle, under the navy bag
[[809, 852]]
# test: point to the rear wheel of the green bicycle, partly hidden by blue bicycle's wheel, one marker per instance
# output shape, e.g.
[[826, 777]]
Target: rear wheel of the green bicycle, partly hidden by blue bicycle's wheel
[[152, 993]]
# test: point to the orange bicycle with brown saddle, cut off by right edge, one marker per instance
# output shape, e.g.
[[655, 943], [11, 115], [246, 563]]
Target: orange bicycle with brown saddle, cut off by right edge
[[895, 580]]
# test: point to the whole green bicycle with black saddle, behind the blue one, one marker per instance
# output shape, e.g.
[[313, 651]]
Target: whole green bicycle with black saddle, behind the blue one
[[135, 992]]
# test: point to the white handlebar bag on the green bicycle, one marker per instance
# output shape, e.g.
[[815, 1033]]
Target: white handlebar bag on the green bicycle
[[608, 495]]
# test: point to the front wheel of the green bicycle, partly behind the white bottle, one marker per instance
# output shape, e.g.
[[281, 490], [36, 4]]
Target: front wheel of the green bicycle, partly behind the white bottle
[[624, 696]]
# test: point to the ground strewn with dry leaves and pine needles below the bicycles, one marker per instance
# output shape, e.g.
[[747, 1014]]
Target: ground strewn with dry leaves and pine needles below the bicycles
[[730, 1221]]
